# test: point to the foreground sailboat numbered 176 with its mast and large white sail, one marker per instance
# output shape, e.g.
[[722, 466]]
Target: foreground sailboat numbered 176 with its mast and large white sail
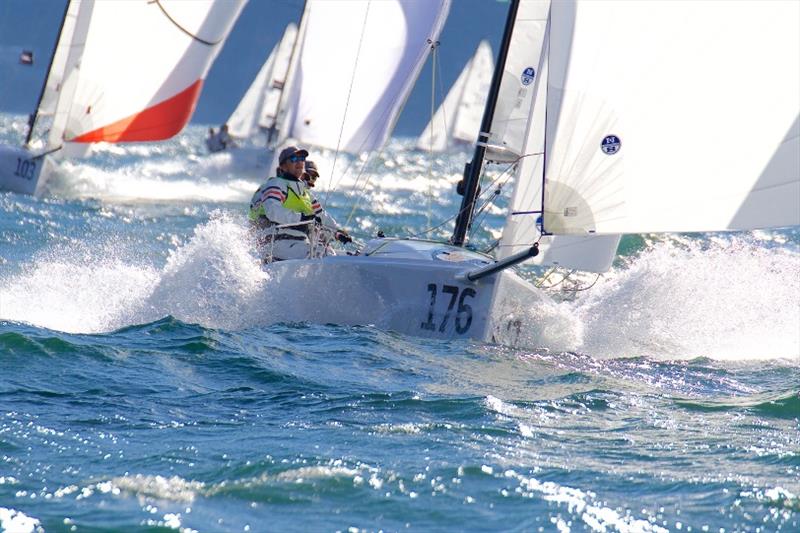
[[650, 125]]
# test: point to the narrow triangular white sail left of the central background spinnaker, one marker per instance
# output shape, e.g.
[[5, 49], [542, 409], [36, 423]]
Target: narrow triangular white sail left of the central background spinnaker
[[261, 99]]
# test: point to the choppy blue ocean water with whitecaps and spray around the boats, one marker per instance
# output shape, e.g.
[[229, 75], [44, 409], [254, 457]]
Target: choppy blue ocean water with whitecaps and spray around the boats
[[144, 385]]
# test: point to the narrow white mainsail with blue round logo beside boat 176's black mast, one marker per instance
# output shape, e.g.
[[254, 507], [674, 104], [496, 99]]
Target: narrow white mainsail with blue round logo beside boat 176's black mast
[[515, 96]]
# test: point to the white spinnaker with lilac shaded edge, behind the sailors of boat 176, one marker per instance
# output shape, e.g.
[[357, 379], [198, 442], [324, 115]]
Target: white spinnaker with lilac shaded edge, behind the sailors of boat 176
[[358, 63]]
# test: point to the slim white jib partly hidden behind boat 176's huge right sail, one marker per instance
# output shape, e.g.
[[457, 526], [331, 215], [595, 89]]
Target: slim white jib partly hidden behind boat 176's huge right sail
[[594, 253]]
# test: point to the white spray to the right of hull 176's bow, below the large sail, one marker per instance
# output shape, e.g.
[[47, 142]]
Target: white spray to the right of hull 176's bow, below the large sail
[[730, 298]]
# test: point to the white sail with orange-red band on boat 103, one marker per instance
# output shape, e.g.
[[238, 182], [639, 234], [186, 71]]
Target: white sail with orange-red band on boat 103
[[141, 68]]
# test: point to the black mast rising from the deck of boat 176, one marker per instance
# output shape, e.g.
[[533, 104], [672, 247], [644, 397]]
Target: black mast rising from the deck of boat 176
[[472, 171]]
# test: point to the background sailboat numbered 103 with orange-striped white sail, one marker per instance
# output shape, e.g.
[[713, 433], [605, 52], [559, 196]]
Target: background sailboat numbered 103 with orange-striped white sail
[[106, 83]]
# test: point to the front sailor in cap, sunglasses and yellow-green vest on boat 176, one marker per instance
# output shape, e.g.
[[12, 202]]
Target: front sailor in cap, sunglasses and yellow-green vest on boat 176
[[284, 212]]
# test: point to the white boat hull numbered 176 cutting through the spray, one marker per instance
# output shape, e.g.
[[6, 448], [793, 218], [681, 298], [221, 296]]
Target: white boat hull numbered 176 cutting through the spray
[[423, 296]]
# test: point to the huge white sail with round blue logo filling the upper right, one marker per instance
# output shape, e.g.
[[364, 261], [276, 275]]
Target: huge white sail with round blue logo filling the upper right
[[685, 118]]
